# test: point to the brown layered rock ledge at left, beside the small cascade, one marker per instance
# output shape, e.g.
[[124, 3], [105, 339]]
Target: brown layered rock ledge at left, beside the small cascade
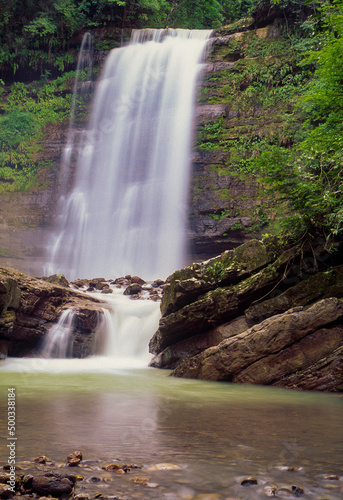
[[29, 307]]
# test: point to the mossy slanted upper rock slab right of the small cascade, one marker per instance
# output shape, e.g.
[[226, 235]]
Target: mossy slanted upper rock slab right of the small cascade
[[221, 303]]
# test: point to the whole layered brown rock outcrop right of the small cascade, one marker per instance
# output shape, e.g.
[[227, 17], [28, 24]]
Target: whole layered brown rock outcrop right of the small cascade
[[248, 317]]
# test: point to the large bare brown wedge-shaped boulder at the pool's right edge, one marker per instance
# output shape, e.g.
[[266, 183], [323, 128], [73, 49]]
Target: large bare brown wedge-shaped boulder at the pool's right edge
[[276, 350]]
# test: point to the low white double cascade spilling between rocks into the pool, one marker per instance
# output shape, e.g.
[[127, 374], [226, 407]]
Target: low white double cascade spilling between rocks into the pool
[[121, 337]]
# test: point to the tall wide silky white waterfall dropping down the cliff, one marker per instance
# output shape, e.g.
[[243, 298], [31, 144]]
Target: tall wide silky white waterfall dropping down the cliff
[[126, 211]]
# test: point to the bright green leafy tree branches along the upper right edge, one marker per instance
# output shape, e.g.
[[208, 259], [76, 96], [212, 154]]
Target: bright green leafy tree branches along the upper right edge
[[311, 176]]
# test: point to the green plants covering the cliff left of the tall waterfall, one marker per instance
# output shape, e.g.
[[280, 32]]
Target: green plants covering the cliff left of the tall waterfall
[[28, 110]]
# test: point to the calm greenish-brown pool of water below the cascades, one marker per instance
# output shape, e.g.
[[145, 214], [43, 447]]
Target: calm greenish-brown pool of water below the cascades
[[216, 434]]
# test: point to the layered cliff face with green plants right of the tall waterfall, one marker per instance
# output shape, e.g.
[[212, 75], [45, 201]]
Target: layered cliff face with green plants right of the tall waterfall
[[245, 106]]
